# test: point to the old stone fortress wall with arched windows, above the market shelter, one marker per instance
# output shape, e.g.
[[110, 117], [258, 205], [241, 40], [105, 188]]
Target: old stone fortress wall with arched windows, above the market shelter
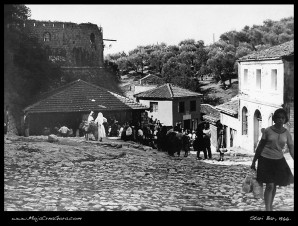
[[69, 44]]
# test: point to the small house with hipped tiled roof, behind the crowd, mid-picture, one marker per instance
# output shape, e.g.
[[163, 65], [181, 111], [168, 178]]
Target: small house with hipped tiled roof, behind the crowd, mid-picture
[[172, 105]]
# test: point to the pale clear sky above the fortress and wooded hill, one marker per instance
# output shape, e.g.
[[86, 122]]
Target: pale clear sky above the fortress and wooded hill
[[139, 25]]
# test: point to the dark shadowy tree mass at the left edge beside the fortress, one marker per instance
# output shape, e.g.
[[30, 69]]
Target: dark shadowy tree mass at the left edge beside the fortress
[[27, 70]]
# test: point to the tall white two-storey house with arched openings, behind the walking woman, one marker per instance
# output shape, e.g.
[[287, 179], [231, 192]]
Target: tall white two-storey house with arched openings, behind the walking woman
[[266, 83]]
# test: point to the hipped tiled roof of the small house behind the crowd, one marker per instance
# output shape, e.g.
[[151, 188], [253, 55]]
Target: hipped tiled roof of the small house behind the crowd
[[167, 91]]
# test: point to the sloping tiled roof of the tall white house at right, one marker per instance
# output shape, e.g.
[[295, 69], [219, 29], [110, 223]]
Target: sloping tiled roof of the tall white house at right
[[274, 52]]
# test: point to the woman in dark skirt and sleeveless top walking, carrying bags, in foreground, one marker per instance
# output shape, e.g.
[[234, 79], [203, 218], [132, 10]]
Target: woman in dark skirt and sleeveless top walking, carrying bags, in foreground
[[272, 167]]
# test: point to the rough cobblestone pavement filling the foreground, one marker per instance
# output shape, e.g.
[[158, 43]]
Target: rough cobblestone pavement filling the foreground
[[73, 174]]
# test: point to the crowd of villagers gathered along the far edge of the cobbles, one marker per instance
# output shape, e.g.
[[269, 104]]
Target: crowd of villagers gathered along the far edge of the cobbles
[[164, 138]]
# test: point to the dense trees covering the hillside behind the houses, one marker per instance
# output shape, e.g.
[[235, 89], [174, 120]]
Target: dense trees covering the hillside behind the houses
[[190, 59]]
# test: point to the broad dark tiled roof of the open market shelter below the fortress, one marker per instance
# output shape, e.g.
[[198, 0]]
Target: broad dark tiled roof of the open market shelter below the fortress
[[81, 96]]
